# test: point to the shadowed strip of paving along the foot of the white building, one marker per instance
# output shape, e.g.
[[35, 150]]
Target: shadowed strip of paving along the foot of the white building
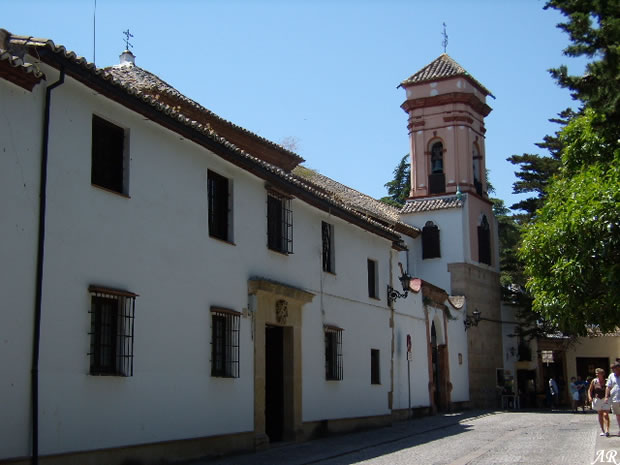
[[310, 452]]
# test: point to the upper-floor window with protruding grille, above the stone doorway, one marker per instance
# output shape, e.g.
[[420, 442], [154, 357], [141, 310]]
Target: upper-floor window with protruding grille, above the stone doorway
[[279, 223]]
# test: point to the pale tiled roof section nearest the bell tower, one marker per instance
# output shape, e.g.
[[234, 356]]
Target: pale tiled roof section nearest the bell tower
[[362, 203]]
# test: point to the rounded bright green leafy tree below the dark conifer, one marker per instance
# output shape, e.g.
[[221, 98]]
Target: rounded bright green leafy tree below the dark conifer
[[572, 251]]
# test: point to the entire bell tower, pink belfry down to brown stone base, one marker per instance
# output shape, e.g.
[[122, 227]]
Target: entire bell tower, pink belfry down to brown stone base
[[448, 201]]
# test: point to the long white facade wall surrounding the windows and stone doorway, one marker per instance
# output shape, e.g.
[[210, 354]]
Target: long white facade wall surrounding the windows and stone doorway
[[155, 243]]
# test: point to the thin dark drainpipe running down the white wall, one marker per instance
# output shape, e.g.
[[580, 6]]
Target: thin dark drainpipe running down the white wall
[[39, 277]]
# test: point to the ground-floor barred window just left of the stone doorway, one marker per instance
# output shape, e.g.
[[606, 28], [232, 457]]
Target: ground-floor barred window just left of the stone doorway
[[224, 343]]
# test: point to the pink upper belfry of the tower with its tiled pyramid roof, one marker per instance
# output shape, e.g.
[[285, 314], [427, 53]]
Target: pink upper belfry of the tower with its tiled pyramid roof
[[446, 108]]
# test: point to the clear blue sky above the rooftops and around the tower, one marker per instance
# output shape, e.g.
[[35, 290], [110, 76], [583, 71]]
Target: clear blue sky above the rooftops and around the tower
[[325, 73]]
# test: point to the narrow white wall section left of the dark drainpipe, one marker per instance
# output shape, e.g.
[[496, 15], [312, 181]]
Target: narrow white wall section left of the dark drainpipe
[[21, 116]]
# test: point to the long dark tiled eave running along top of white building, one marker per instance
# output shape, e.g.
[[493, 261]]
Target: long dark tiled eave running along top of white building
[[150, 105]]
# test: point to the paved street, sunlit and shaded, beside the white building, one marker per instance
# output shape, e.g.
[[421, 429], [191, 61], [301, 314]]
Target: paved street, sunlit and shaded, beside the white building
[[473, 437]]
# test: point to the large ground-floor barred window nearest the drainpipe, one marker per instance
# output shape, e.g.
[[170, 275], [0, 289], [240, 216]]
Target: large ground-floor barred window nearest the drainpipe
[[111, 331]]
